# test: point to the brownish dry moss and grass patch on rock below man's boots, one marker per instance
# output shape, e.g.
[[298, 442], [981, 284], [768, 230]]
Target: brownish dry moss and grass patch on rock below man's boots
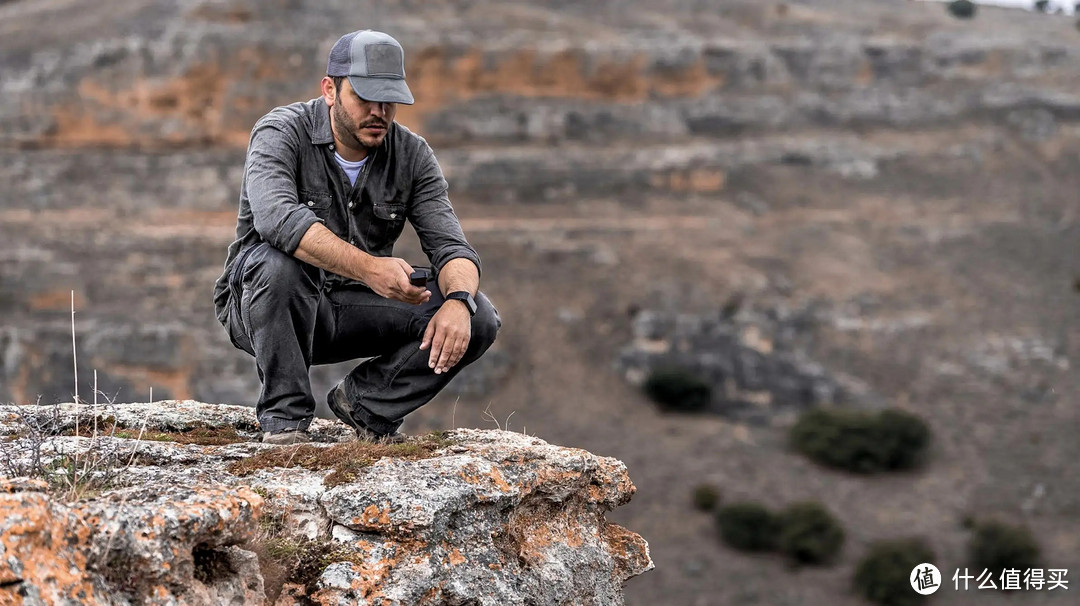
[[346, 460]]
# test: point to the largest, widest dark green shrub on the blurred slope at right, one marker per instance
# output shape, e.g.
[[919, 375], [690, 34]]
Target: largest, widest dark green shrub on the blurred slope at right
[[861, 442]]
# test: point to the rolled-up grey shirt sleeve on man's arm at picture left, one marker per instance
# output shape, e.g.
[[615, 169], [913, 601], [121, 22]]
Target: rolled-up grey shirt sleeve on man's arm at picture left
[[271, 186]]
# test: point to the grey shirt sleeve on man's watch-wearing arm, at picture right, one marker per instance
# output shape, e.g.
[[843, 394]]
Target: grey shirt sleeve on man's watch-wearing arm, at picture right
[[433, 217]]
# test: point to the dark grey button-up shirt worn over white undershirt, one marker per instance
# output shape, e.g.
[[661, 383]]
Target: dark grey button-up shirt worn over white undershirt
[[292, 181]]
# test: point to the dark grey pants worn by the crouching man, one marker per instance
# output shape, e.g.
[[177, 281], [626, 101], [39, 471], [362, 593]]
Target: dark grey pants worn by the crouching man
[[282, 314]]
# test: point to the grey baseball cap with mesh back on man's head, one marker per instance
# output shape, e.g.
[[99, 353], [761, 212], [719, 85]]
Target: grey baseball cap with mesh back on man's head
[[375, 64]]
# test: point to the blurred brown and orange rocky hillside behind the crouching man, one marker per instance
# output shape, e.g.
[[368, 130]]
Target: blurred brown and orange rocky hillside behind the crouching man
[[860, 203]]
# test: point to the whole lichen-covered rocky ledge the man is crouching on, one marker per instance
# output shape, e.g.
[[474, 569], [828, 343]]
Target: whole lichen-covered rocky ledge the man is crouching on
[[175, 503]]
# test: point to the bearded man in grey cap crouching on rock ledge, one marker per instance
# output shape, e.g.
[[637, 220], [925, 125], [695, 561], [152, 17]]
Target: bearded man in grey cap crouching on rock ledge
[[310, 278]]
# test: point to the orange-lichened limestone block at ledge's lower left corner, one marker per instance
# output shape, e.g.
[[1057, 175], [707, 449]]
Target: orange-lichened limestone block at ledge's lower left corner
[[172, 547]]
